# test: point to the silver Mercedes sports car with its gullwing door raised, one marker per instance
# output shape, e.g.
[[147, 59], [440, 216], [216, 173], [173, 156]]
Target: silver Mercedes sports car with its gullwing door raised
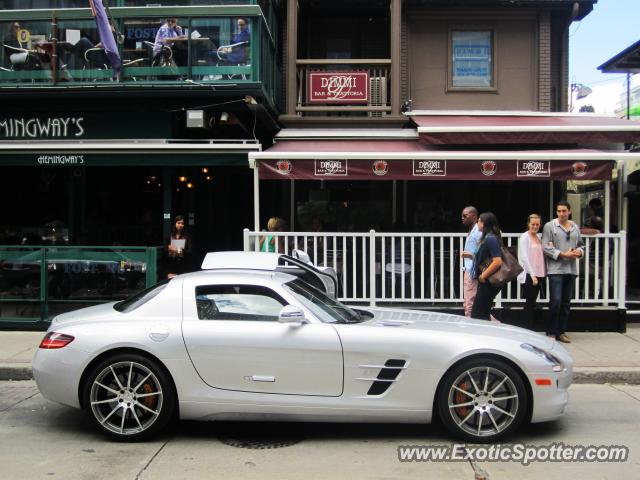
[[260, 336]]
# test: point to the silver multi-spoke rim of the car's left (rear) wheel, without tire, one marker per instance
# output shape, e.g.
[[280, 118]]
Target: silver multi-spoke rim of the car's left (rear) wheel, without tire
[[126, 398]]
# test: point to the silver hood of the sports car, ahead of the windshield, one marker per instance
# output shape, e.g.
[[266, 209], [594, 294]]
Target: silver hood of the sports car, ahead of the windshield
[[444, 322]]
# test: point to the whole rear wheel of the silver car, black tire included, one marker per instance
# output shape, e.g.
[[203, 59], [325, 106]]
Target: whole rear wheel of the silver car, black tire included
[[129, 397]]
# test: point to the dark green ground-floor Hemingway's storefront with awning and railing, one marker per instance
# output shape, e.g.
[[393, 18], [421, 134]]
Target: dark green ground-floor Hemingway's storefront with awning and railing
[[88, 210]]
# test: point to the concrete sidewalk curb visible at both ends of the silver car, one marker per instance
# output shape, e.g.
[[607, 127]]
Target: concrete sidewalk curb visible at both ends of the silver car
[[22, 371]]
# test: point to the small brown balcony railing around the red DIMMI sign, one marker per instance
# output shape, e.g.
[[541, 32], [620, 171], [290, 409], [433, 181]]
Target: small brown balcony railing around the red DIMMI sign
[[379, 101]]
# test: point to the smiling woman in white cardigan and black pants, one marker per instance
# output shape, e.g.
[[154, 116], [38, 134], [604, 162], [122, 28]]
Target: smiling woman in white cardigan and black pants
[[531, 257]]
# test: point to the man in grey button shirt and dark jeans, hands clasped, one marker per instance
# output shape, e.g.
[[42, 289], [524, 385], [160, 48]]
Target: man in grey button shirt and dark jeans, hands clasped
[[563, 246]]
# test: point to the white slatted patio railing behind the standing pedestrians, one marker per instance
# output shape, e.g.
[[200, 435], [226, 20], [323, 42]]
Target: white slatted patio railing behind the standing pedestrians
[[425, 268]]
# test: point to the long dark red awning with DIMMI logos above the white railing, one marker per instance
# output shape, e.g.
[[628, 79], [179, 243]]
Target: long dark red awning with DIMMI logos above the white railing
[[413, 160]]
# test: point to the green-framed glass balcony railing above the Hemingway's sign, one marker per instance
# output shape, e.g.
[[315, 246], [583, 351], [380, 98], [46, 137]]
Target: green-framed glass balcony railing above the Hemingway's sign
[[210, 48]]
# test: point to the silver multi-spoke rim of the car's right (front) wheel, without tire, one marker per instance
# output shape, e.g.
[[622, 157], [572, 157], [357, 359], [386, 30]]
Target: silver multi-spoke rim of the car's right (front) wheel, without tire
[[483, 401]]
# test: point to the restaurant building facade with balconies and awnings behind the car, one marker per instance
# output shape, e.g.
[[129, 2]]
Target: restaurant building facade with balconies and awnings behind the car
[[384, 115]]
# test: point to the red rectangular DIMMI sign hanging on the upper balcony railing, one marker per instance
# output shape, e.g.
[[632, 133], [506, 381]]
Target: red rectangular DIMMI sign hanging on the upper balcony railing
[[338, 87]]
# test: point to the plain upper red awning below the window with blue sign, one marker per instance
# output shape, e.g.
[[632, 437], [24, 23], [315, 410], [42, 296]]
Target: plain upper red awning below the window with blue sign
[[534, 128]]
